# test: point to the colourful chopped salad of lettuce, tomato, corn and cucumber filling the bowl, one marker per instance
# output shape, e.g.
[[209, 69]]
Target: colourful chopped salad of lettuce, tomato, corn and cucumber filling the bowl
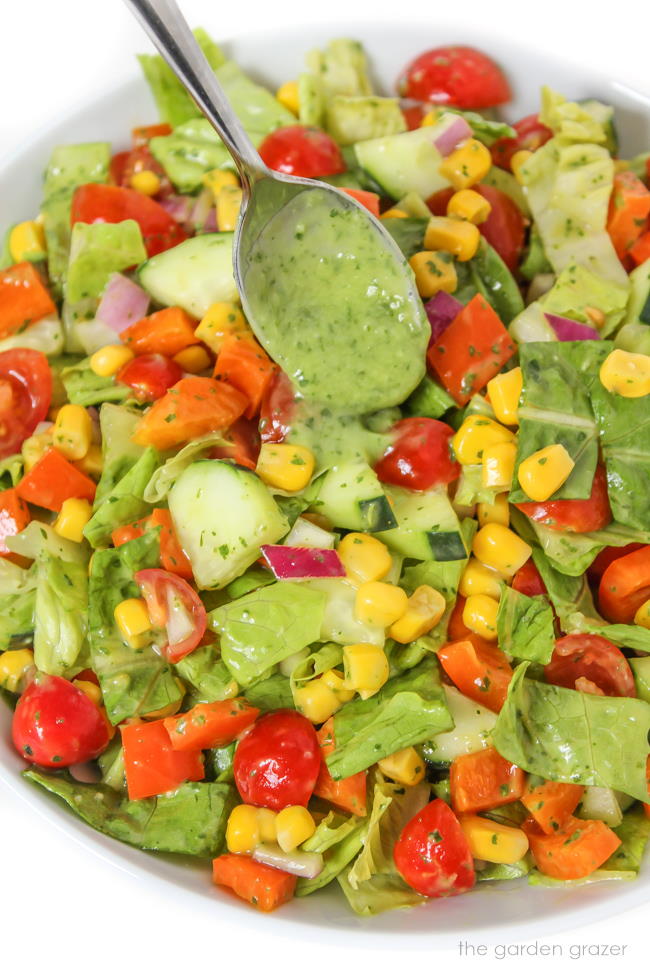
[[337, 602]]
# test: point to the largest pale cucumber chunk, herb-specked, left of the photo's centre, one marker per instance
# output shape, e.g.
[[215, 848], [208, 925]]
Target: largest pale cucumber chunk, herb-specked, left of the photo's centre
[[222, 515]]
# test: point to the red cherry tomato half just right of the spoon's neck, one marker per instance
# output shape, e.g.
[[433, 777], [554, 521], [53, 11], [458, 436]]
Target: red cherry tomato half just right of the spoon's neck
[[301, 150]]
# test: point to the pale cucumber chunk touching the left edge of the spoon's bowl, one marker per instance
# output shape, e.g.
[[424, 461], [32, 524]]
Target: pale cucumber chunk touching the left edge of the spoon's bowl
[[193, 274]]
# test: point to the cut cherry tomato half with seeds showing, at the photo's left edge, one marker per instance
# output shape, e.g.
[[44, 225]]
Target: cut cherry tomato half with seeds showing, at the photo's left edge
[[25, 396]]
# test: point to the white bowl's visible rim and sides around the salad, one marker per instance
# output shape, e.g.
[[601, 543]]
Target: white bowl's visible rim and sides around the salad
[[503, 910]]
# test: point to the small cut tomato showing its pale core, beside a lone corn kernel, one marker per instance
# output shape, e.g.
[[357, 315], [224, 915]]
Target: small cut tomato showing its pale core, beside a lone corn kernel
[[174, 605]]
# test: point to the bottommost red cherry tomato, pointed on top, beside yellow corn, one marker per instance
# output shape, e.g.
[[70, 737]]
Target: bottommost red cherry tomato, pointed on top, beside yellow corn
[[432, 853]]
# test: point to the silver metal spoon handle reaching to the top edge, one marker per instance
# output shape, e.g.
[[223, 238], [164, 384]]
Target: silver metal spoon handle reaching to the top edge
[[169, 31]]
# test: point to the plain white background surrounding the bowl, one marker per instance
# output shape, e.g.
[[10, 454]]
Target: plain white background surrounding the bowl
[[61, 909]]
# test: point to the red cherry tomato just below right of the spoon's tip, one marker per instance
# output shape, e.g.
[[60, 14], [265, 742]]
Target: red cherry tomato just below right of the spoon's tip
[[420, 455]]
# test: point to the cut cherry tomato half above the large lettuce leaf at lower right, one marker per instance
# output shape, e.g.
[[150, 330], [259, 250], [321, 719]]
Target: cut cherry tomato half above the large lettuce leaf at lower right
[[585, 655]]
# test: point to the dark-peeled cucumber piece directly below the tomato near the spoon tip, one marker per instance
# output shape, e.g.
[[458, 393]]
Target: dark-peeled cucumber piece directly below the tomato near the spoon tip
[[427, 526]]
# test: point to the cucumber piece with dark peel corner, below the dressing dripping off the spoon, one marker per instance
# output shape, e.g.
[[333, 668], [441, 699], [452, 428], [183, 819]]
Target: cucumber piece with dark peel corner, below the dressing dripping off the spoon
[[351, 496]]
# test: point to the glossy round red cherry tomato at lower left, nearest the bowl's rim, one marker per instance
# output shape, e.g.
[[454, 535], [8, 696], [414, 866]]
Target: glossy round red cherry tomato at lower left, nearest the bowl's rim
[[56, 725]]
